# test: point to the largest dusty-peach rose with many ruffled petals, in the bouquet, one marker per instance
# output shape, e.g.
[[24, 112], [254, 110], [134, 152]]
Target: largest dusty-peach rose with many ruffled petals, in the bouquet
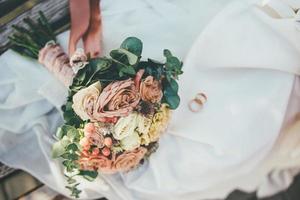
[[116, 100]]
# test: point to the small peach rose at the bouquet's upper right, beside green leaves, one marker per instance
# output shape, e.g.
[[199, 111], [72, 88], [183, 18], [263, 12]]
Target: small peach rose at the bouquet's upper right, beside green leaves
[[150, 90]]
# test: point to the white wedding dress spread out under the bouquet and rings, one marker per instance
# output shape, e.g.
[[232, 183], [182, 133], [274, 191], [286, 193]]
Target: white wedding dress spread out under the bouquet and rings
[[242, 58]]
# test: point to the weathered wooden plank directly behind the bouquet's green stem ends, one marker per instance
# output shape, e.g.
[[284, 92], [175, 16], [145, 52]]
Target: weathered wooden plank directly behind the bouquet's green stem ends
[[54, 10]]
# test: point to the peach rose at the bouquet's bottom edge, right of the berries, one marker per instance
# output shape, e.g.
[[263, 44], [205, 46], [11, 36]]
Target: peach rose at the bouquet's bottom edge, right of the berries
[[129, 159]]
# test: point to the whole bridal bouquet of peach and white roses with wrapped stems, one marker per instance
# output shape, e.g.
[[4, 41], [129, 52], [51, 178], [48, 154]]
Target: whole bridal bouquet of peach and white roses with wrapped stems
[[117, 106]]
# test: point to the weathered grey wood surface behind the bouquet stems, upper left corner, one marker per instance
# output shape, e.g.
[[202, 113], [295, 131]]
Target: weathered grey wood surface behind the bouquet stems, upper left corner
[[57, 11]]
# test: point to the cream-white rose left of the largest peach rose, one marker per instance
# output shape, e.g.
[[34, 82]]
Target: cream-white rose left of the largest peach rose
[[85, 99]]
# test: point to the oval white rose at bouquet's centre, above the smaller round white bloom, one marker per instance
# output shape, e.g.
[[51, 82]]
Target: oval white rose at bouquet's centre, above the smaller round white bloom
[[125, 126]]
